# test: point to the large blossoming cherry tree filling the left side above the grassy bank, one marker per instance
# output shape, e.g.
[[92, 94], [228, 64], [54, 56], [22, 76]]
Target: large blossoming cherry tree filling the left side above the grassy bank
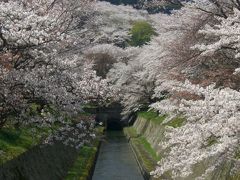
[[36, 37]]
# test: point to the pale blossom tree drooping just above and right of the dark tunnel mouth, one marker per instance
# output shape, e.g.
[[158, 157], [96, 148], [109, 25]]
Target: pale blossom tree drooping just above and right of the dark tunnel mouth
[[132, 80]]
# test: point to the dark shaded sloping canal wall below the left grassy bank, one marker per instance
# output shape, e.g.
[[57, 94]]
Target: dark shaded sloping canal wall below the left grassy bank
[[50, 162]]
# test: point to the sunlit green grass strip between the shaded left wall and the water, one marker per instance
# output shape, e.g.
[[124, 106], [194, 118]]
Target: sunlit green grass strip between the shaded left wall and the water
[[83, 164]]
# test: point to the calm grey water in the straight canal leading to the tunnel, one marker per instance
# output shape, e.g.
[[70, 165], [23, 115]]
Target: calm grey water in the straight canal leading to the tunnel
[[116, 160]]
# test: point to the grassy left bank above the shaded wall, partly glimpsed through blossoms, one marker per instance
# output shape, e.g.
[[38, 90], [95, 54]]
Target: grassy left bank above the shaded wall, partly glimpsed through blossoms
[[15, 141]]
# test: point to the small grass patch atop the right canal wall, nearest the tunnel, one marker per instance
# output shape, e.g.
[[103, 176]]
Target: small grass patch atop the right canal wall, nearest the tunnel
[[152, 116]]
